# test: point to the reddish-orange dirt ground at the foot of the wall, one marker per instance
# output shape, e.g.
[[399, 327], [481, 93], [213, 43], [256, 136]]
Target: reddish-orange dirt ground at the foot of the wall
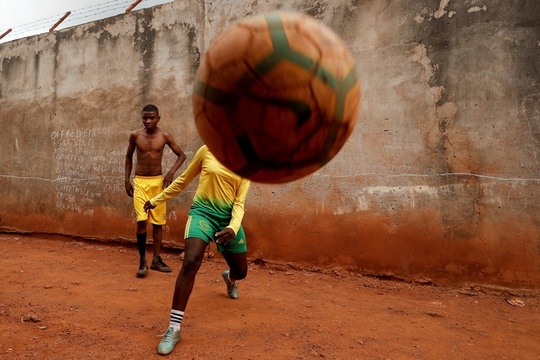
[[72, 299]]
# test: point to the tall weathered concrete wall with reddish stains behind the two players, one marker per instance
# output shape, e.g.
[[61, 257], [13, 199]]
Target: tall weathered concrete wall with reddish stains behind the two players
[[439, 180]]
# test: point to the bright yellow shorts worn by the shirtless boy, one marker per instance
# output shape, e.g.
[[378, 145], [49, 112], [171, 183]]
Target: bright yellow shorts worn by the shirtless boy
[[145, 188]]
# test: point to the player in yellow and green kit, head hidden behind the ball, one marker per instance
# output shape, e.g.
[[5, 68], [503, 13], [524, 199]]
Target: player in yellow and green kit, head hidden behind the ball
[[216, 215]]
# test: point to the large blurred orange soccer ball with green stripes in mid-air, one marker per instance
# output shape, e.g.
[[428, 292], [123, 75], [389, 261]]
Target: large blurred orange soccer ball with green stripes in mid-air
[[276, 96]]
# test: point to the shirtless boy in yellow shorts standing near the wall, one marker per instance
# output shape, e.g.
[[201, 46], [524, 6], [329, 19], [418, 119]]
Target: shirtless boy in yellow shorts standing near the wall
[[149, 181]]
